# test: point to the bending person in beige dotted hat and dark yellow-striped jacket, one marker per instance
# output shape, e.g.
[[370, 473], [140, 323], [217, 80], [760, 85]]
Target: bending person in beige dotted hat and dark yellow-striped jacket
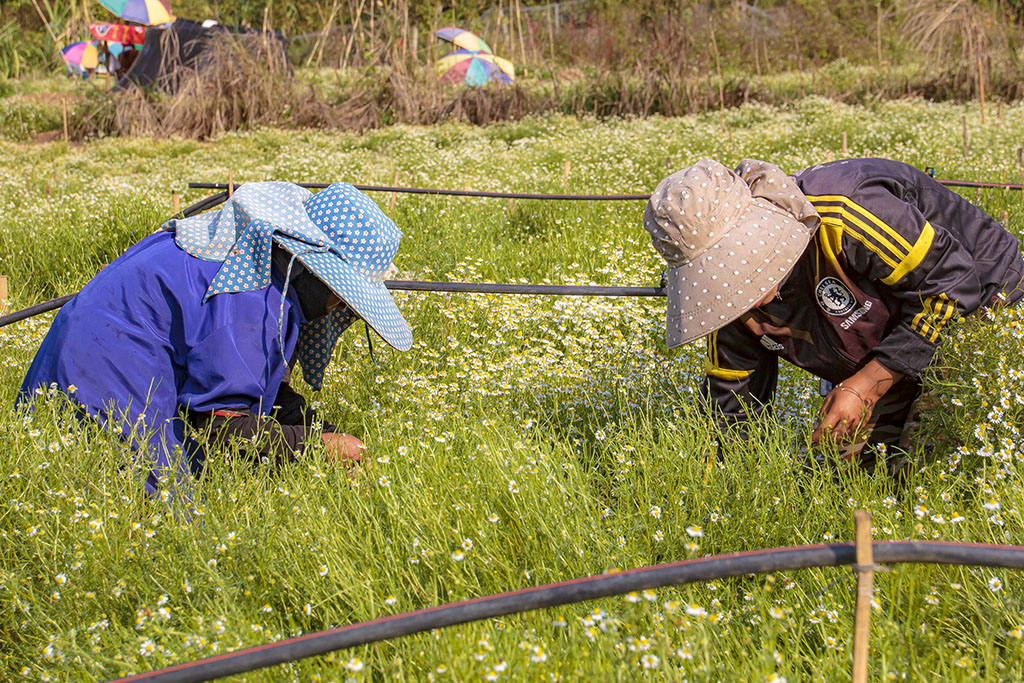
[[849, 271]]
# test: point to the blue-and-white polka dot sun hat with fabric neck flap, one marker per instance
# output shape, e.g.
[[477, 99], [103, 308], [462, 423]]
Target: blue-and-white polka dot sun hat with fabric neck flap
[[339, 234]]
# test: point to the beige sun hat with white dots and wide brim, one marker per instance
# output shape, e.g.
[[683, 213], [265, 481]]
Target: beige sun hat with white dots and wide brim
[[729, 237]]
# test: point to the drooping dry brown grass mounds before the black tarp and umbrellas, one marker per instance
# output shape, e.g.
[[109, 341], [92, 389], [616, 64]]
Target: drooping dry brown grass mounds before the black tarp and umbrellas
[[244, 81]]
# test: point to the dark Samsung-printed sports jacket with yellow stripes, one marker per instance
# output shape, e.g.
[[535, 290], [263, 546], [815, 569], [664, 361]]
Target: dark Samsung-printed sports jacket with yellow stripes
[[897, 257]]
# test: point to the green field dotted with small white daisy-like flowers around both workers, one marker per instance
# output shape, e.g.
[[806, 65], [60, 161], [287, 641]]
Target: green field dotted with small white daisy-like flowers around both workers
[[523, 441]]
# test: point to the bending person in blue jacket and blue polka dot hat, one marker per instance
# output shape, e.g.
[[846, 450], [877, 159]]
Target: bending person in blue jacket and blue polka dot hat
[[196, 328]]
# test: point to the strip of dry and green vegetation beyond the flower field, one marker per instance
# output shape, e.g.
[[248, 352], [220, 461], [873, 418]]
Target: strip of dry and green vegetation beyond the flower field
[[365, 64]]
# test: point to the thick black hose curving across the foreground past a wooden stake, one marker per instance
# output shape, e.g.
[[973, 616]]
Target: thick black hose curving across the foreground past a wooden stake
[[580, 590]]
